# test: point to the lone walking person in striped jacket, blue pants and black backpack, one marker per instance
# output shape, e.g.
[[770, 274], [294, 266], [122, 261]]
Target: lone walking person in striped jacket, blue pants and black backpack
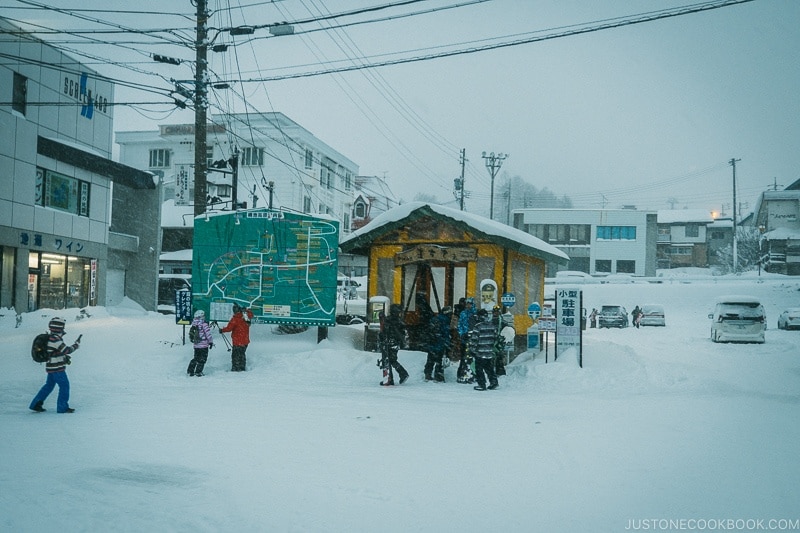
[[56, 367]]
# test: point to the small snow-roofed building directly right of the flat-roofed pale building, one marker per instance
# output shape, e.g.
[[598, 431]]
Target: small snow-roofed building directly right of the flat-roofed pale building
[[682, 238]]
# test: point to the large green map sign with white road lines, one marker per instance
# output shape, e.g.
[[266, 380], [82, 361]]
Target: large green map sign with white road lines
[[281, 265]]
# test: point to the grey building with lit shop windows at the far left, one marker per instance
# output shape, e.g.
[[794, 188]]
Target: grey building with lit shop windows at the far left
[[60, 244]]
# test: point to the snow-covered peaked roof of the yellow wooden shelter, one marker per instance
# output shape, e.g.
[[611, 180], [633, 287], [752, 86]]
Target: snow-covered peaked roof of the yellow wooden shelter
[[491, 230]]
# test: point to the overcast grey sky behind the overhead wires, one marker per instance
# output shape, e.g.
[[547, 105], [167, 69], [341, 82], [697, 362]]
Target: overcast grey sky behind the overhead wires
[[643, 114]]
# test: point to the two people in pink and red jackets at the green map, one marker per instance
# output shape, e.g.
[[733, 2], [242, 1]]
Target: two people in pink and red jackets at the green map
[[238, 326]]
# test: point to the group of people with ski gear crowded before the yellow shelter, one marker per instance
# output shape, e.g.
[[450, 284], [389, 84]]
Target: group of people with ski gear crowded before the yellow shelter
[[470, 335]]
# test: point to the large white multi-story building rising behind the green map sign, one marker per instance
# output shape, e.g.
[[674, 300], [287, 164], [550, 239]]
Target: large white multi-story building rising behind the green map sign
[[280, 164]]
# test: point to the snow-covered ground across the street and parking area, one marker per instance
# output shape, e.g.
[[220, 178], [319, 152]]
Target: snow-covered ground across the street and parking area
[[661, 429]]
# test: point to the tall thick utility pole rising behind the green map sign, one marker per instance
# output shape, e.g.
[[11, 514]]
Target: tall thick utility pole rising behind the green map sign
[[201, 109]]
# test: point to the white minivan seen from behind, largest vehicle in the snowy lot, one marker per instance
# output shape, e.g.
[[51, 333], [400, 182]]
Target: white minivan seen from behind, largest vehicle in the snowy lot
[[738, 319]]
